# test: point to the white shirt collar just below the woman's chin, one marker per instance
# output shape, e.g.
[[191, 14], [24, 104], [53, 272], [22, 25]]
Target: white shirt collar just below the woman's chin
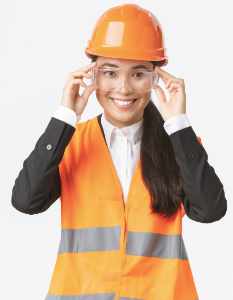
[[133, 132]]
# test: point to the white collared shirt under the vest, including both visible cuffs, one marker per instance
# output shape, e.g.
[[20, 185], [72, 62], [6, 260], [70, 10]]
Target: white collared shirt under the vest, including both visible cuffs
[[124, 143]]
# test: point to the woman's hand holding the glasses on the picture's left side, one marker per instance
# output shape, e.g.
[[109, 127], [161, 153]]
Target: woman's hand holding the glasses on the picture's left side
[[71, 97]]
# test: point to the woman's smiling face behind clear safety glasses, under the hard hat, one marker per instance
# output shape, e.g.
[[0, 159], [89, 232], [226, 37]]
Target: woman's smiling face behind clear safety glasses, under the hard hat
[[124, 90]]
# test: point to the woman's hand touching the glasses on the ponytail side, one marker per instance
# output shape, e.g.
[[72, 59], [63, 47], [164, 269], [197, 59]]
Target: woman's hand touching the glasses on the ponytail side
[[177, 97]]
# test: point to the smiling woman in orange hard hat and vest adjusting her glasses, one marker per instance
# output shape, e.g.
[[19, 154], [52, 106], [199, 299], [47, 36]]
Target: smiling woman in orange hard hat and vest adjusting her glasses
[[125, 177]]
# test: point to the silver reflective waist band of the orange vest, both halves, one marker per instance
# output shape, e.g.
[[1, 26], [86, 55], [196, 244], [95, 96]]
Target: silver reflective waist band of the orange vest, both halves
[[108, 238]]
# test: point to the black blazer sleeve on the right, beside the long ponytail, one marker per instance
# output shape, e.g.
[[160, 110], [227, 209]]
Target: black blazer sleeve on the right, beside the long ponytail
[[203, 193]]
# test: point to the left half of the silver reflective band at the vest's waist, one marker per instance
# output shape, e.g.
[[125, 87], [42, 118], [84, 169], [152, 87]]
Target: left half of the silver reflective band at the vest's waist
[[90, 239]]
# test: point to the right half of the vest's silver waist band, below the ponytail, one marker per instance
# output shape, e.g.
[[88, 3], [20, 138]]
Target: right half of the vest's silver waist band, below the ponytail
[[155, 244]]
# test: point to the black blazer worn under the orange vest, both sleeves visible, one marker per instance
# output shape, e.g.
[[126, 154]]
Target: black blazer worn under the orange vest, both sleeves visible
[[38, 183]]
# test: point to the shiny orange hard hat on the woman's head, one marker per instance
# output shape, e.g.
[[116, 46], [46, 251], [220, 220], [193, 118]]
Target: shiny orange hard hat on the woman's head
[[128, 31]]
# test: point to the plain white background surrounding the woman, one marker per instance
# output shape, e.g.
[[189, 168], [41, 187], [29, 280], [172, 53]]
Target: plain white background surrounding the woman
[[41, 42]]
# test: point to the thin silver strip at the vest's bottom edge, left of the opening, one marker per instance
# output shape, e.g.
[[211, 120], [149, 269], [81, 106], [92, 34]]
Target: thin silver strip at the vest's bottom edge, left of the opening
[[99, 296]]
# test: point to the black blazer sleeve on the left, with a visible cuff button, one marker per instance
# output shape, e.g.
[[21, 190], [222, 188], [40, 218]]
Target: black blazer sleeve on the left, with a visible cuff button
[[38, 183]]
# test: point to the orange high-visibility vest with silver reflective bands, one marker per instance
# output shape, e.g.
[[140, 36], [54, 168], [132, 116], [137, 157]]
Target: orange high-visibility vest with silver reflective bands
[[111, 249]]
